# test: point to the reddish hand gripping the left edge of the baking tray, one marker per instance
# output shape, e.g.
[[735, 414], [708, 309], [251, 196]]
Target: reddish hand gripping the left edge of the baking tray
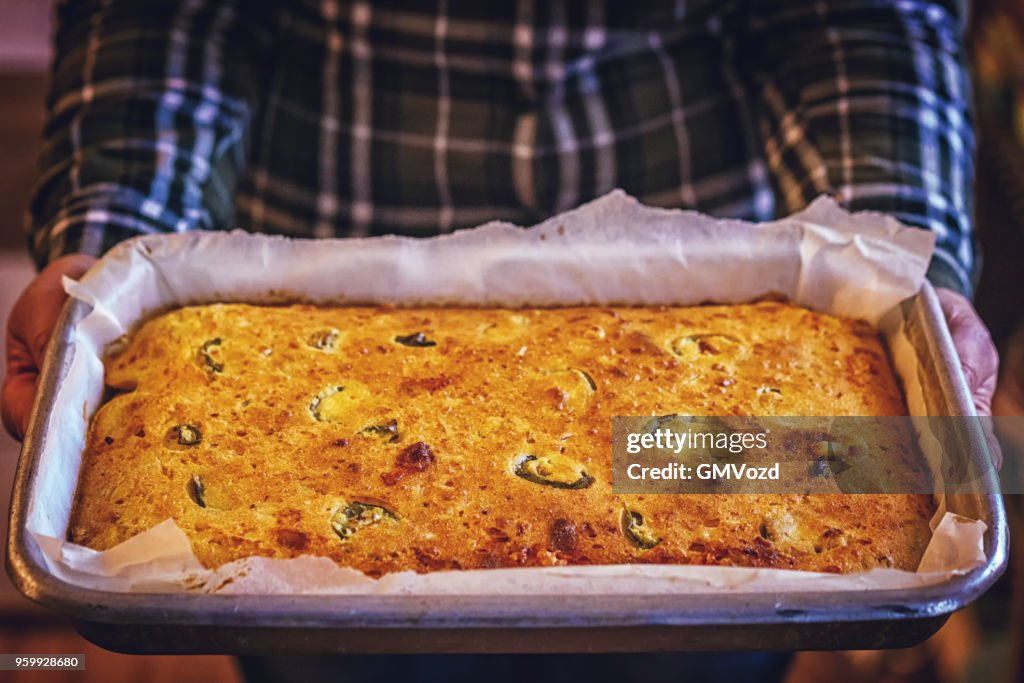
[[29, 329]]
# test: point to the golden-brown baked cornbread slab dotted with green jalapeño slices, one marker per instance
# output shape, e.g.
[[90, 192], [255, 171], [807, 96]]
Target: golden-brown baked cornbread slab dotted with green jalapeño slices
[[446, 439]]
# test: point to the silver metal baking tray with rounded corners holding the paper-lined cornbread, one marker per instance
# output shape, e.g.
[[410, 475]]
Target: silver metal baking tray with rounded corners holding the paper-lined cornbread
[[282, 624]]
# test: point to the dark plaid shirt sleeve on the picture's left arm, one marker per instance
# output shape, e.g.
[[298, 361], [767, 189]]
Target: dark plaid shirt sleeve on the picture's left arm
[[148, 120]]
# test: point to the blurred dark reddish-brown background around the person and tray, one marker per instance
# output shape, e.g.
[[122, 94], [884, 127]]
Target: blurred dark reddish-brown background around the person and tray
[[983, 644]]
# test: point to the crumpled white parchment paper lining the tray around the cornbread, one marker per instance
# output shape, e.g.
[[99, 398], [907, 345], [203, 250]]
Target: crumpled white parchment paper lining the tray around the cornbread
[[613, 250]]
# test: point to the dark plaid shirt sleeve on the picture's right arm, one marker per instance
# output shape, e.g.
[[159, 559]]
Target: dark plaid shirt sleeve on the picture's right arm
[[870, 101]]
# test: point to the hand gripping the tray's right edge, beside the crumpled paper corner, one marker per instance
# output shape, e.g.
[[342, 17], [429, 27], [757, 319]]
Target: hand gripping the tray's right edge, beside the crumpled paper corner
[[978, 357]]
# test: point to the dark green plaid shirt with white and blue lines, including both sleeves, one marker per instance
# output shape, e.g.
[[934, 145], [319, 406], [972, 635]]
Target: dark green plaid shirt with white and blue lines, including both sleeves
[[331, 119]]
